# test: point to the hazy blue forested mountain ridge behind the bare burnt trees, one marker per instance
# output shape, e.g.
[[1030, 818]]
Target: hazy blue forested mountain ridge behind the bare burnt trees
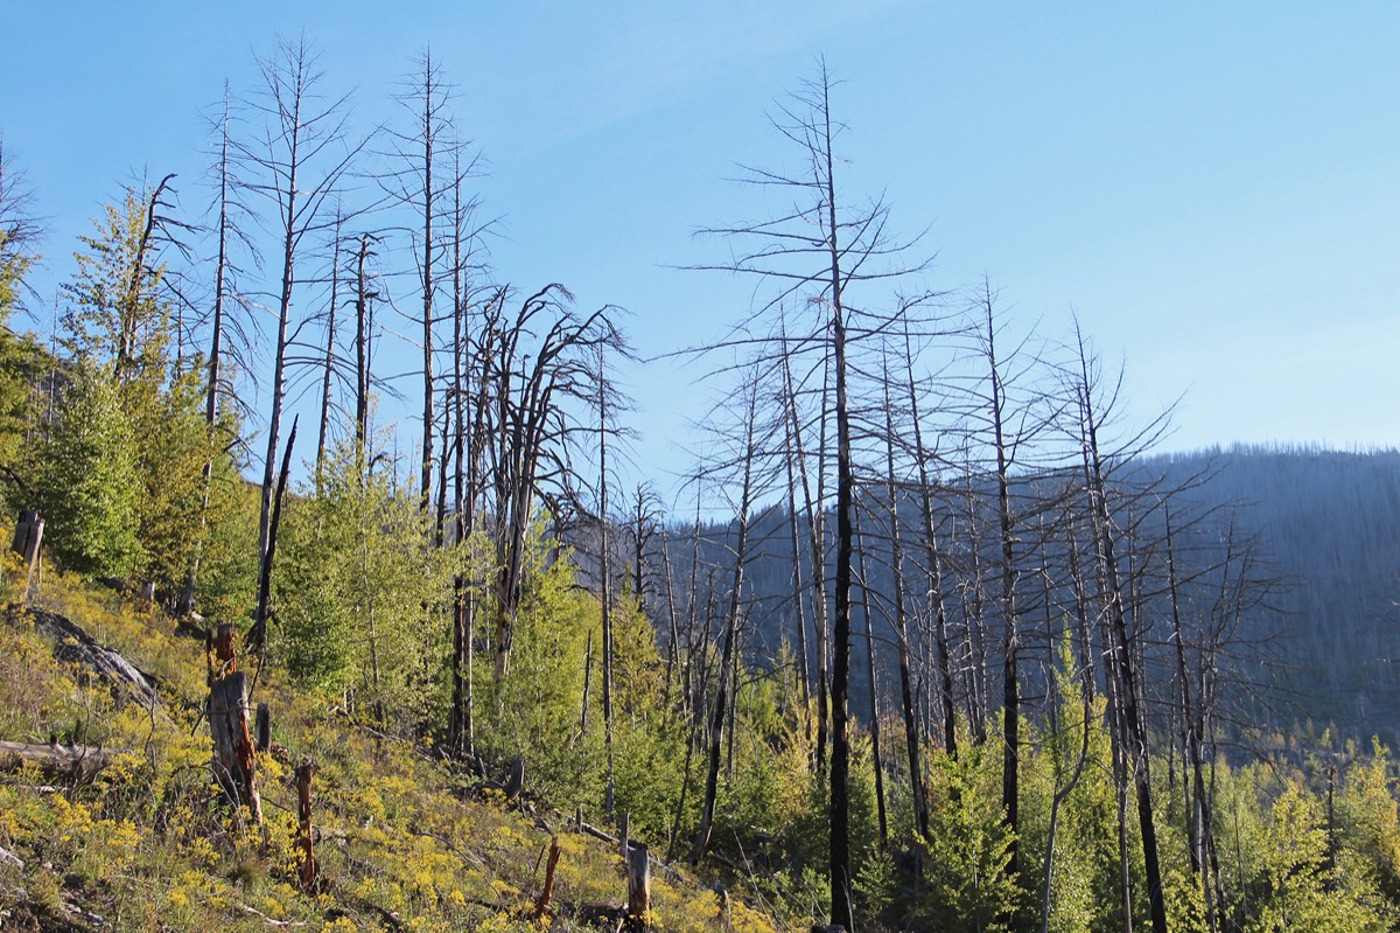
[[1318, 638]]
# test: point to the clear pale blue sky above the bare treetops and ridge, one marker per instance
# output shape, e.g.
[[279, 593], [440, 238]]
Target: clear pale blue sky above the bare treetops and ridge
[[1213, 187]]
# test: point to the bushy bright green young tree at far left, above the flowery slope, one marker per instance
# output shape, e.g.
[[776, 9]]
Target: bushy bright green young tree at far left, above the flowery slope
[[87, 483]]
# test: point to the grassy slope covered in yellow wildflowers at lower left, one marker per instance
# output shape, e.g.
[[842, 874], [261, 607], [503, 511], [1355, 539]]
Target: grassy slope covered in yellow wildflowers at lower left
[[143, 848]]
